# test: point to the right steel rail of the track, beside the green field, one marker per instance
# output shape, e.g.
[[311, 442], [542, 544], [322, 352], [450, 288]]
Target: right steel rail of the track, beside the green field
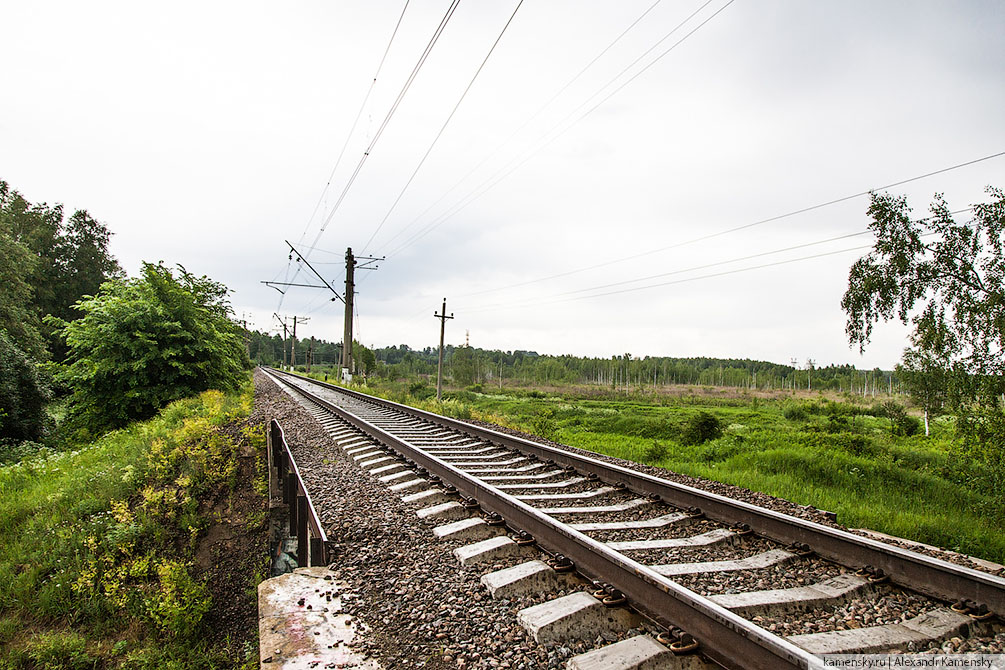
[[925, 574]]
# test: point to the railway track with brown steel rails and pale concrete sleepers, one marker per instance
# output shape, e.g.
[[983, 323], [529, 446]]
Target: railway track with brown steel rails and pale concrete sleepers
[[742, 585]]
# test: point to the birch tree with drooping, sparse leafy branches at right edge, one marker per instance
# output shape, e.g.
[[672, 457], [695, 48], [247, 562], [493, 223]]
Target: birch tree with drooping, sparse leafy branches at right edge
[[948, 281]]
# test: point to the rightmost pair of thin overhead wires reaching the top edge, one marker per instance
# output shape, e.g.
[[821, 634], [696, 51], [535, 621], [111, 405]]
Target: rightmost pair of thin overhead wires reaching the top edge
[[497, 178]]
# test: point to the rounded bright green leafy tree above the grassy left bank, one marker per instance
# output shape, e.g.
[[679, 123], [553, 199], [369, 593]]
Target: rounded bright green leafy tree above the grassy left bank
[[146, 342]]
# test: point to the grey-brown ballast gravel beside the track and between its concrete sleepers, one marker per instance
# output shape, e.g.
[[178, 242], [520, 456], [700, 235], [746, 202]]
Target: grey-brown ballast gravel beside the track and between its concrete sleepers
[[428, 611]]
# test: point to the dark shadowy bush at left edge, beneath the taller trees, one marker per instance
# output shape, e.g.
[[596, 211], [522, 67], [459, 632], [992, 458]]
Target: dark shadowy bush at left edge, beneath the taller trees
[[24, 395]]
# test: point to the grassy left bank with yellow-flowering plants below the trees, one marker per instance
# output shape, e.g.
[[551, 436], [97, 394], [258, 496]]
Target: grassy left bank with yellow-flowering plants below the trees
[[98, 544]]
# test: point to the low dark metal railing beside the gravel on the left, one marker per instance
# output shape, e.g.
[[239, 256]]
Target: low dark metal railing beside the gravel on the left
[[312, 541]]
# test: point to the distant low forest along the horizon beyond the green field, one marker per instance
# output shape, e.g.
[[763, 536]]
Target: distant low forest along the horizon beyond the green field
[[468, 366]]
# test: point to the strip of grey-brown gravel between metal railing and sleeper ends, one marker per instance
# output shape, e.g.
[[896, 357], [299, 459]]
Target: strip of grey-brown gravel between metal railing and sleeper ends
[[424, 608]]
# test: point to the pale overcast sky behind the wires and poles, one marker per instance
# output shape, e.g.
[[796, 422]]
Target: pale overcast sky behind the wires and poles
[[205, 134]]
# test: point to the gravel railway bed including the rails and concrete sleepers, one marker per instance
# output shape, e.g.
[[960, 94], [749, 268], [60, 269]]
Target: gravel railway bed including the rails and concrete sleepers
[[428, 523]]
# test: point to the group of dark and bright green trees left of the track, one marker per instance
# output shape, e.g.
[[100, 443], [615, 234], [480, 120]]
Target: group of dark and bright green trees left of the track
[[72, 324]]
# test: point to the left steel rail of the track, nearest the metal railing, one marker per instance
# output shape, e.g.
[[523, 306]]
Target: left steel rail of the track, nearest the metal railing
[[726, 638]]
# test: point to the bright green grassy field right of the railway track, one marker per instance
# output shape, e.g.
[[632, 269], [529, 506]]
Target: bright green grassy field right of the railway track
[[832, 454]]
